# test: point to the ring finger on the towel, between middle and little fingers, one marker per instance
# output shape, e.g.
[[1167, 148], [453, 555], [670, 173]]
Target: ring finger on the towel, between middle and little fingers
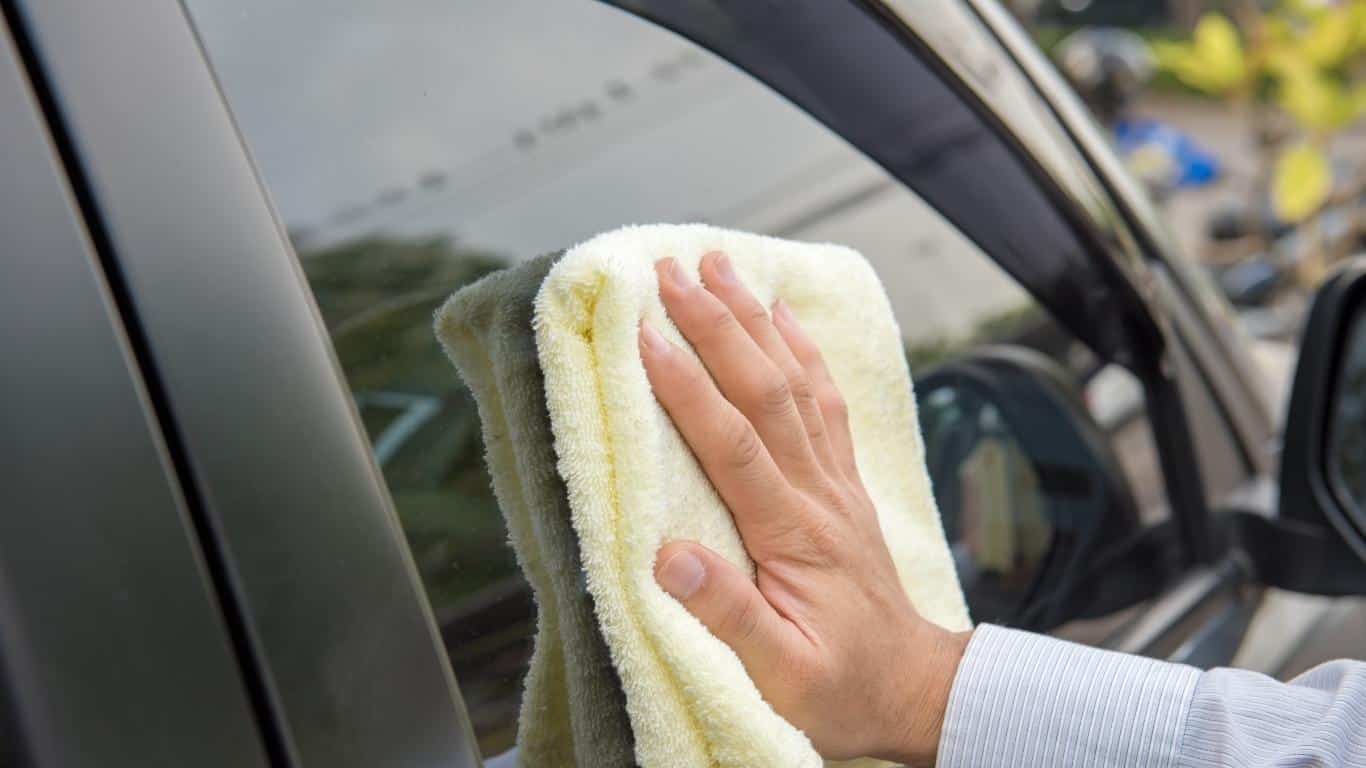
[[721, 279]]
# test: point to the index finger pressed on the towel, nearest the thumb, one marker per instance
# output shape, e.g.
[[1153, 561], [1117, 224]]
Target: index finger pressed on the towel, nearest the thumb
[[725, 442]]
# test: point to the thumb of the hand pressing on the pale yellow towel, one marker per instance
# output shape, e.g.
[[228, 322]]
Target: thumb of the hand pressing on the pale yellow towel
[[725, 599]]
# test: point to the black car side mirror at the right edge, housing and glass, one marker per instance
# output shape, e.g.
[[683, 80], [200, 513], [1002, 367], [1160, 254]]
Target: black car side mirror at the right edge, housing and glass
[[1318, 543]]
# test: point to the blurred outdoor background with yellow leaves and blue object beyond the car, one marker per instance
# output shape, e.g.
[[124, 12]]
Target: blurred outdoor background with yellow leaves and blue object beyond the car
[[1242, 118]]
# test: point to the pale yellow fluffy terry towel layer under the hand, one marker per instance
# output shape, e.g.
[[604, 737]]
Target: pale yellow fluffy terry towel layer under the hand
[[635, 484]]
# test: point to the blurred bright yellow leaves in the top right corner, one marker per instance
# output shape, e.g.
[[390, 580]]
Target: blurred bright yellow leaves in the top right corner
[[1305, 59]]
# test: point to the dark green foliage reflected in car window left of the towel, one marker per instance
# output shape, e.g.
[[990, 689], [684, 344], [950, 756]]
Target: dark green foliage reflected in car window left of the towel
[[378, 297]]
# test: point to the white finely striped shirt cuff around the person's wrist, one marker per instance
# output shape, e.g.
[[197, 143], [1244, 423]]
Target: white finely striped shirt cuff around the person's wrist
[[1022, 699]]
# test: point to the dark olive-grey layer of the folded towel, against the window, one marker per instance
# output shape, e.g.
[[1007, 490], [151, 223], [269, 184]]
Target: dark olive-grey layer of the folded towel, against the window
[[573, 707]]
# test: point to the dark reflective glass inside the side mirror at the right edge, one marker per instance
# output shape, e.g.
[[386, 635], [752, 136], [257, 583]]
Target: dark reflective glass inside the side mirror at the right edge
[[1348, 420]]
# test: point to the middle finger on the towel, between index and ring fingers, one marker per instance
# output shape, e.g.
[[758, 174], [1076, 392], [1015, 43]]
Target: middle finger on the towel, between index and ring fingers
[[742, 371]]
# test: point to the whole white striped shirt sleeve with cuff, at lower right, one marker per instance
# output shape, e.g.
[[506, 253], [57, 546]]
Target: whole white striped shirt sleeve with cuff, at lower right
[[1022, 699]]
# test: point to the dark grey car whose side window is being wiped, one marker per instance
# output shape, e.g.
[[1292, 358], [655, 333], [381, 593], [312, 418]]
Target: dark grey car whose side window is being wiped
[[247, 516]]
